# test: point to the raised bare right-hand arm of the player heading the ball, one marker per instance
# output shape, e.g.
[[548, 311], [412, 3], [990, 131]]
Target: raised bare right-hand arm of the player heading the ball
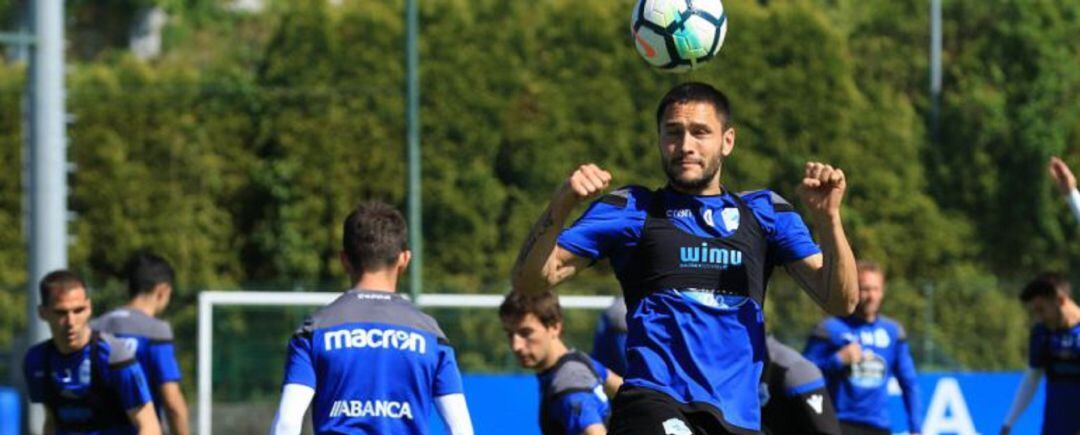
[[830, 278]]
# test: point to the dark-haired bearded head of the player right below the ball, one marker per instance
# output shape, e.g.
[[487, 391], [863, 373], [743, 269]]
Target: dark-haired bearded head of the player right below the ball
[[696, 134]]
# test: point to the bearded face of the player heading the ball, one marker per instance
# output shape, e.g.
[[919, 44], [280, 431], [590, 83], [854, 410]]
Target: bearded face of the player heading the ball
[[693, 144]]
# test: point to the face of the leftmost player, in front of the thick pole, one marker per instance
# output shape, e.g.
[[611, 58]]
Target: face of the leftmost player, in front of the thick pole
[[67, 315]]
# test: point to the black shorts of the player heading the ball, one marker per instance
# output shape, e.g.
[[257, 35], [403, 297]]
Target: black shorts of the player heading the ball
[[644, 412]]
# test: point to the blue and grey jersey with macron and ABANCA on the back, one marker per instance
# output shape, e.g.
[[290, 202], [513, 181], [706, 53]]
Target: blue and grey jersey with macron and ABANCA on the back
[[376, 364]]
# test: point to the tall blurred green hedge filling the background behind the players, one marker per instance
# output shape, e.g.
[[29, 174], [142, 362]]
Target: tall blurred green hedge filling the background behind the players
[[234, 137]]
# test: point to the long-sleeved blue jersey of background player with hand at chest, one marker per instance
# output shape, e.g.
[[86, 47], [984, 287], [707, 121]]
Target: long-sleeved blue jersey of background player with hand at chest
[[861, 391]]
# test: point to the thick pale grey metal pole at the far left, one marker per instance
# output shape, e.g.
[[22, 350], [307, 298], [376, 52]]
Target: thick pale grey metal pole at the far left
[[48, 165]]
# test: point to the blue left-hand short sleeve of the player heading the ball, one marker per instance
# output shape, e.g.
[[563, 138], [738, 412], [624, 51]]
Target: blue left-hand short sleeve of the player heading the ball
[[610, 224]]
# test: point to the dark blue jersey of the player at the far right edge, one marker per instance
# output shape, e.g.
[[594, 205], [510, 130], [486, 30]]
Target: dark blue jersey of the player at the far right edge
[[1058, 352]]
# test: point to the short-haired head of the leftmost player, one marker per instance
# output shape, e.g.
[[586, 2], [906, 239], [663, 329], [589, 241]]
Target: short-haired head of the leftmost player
[[66, 308]]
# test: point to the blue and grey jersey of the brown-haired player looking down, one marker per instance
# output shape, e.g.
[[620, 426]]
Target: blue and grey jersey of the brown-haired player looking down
[[573, 396]]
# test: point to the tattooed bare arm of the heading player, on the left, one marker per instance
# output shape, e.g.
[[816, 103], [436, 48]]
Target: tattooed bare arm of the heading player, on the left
[[542, 265]]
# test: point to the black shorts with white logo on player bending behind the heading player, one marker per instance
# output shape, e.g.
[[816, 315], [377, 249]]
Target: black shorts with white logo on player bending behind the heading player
[[811, 413]]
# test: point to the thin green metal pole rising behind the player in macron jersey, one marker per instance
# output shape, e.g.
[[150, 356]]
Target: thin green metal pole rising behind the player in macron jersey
[[413, 119]]
